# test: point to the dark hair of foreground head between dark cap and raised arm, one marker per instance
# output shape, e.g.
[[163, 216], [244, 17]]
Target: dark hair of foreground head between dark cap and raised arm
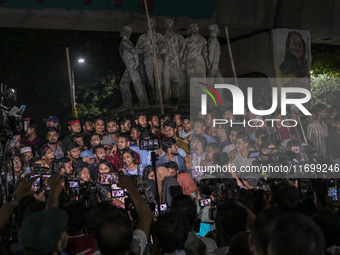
[[113, 231]]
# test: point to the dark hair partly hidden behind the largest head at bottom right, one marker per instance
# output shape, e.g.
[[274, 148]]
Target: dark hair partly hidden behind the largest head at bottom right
[[263, 228]]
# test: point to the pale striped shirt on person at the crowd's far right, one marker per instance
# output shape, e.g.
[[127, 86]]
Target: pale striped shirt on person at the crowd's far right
[[317, 133]]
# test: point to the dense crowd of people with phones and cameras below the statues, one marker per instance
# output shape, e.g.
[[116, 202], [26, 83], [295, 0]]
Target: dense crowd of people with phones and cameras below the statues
[[98, 191]]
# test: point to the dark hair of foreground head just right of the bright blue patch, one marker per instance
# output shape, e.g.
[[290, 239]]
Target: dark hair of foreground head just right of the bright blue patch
[[230, 219]]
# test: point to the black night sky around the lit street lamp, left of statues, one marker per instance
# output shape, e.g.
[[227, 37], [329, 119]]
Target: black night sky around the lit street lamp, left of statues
[[34, 63]]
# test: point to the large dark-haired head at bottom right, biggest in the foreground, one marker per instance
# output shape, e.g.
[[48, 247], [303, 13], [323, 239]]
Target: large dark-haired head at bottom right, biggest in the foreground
[[296, 234]]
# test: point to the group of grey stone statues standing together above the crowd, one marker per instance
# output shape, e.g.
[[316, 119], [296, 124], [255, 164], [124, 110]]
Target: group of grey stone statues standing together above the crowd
[[178, 60]]
